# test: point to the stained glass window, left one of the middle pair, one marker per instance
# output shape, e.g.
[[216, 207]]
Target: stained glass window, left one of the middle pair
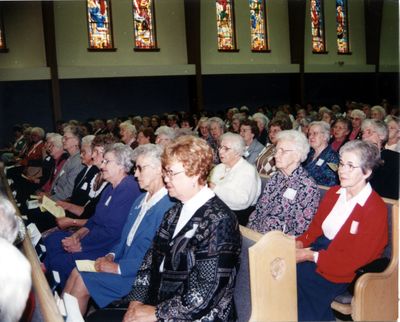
[[226, 25]]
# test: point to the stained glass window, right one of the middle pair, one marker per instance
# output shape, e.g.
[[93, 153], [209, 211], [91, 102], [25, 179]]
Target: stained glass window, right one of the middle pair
[[258, 30]]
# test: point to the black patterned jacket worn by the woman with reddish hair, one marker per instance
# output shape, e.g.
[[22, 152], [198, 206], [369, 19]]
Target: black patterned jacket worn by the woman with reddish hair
[[200, 266]]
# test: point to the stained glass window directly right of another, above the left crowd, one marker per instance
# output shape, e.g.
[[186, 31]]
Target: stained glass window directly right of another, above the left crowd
[[144, 24]]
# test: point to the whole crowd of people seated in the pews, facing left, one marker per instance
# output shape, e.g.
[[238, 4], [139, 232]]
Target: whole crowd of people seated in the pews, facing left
[[156, 203]]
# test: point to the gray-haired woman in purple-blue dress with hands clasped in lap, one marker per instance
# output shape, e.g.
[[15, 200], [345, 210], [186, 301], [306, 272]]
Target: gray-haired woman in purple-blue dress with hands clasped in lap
[[103, 229]]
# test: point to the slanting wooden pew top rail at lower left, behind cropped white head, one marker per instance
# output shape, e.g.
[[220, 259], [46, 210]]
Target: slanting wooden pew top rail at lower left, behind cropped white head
[[48, 307]]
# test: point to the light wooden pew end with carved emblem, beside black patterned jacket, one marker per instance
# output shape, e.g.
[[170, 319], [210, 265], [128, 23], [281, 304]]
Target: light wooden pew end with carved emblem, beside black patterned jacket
[[271, 274]]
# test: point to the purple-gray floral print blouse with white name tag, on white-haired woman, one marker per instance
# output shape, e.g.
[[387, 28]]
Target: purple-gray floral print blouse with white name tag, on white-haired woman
[[287, 204]]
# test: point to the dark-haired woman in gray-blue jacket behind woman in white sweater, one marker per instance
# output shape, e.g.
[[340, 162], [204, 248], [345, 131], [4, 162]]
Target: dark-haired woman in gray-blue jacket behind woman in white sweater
[[249, 132]]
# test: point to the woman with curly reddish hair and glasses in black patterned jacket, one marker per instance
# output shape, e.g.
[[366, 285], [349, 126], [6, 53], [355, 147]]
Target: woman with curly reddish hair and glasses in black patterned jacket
[[189, 272]]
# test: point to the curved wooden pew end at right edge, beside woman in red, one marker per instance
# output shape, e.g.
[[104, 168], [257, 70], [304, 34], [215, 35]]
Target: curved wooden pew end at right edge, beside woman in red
[[376, 294]]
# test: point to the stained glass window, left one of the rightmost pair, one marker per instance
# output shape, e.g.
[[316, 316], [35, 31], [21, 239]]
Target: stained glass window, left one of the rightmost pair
[[317, 26]]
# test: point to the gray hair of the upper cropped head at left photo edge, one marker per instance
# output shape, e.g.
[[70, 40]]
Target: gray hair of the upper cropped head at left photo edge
[[8, 220]]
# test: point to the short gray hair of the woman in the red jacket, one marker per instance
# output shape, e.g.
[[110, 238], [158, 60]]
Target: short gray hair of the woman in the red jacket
[[368, 153]]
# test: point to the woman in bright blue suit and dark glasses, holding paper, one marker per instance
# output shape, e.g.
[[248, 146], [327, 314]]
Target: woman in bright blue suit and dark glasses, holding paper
[[117, 270]]
